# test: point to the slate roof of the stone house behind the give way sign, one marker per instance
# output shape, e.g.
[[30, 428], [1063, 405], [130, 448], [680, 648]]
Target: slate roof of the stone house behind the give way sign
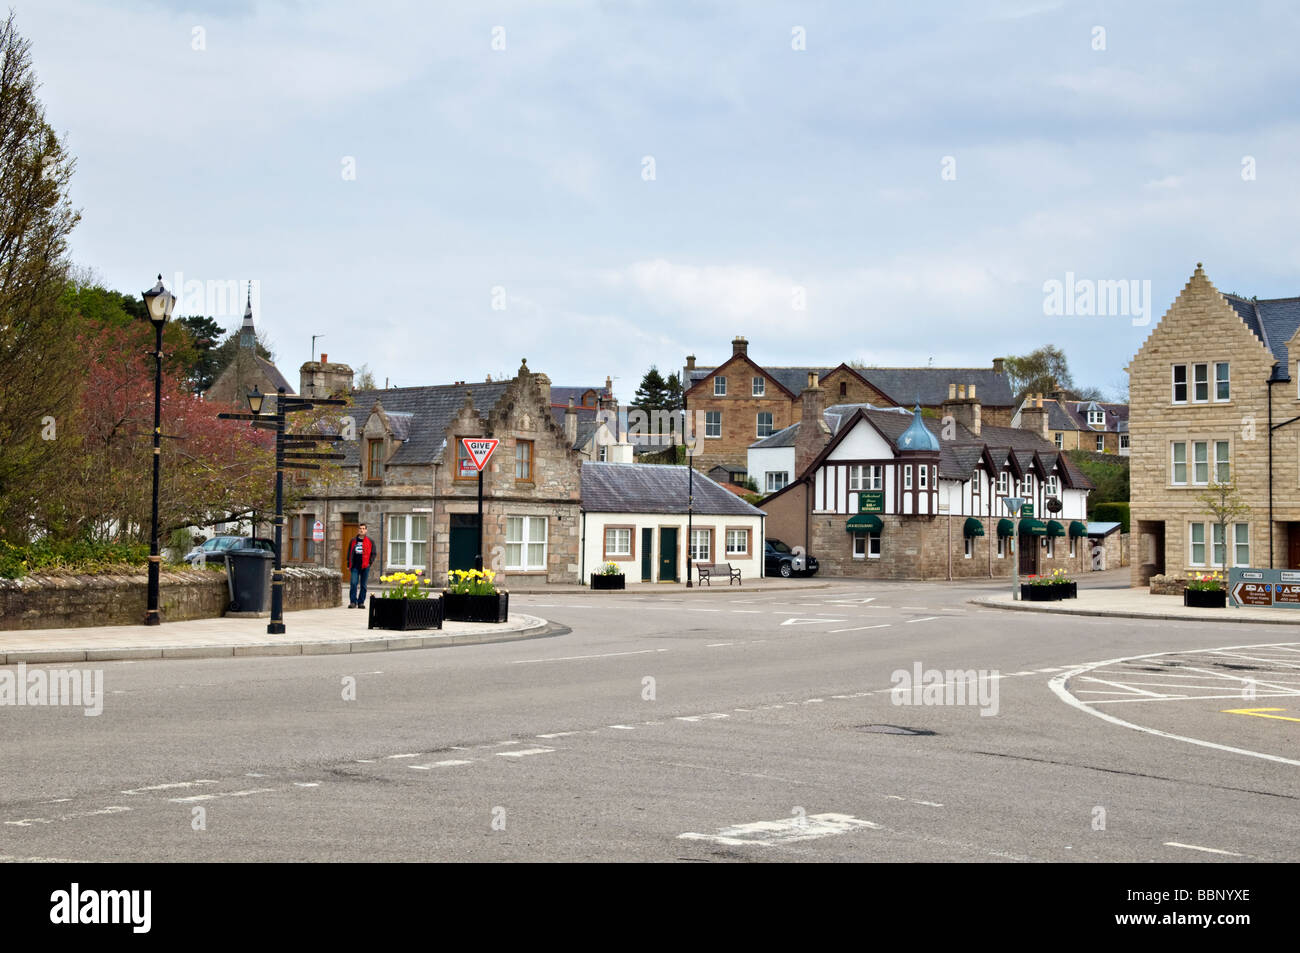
[[428, 413]]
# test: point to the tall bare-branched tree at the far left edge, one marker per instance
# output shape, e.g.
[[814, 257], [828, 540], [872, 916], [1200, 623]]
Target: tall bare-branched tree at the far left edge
[[38, 370]]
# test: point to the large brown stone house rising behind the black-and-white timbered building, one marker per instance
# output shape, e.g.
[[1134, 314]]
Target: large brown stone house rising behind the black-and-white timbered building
[[740, 402]]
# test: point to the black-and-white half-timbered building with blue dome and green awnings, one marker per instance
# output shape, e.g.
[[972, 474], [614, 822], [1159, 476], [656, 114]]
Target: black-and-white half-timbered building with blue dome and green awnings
[[891, 493]]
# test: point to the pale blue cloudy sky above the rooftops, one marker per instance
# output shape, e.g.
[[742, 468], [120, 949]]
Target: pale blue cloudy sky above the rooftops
[[445, 189]]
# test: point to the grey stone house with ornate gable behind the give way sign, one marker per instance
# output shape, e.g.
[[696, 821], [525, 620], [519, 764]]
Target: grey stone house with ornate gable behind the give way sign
[[406, 476]]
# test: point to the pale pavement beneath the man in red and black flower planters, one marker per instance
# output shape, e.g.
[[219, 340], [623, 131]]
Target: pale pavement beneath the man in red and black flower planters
[[309, 633]]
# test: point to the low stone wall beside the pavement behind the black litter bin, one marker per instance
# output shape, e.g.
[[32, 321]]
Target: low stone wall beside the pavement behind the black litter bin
[[49, 603]]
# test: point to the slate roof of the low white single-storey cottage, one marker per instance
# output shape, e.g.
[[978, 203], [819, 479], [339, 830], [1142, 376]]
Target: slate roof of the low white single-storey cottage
[[656, 488]]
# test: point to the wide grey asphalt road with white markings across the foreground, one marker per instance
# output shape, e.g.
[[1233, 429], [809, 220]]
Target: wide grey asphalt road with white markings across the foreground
[[696, 727]]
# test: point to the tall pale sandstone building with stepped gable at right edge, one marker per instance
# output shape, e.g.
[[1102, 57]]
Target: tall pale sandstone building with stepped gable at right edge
[[1210, 385]]
